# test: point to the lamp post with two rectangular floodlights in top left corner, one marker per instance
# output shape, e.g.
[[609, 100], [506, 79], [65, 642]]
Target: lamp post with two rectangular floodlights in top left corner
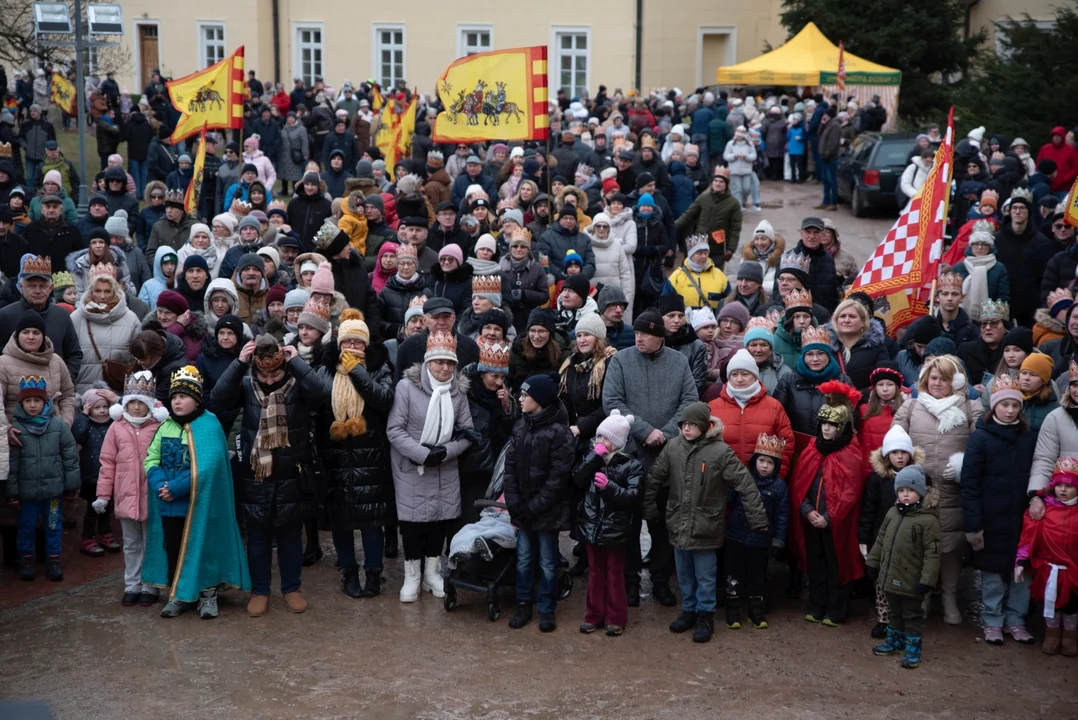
[[52, 19]]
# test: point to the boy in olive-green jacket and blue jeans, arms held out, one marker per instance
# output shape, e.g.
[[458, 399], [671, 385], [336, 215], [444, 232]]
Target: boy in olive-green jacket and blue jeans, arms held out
[[700, 468]]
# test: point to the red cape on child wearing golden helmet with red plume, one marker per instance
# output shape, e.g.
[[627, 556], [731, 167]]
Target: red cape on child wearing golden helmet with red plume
[[842, 484]]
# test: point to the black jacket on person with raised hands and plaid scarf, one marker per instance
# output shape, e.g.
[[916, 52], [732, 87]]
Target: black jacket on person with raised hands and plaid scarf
[[282, 499]]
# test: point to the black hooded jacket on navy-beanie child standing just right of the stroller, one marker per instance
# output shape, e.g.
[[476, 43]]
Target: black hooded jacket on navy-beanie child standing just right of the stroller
[[538, 470]]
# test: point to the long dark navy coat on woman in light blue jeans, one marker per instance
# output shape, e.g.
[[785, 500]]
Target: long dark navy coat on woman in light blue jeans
[[996, 474]]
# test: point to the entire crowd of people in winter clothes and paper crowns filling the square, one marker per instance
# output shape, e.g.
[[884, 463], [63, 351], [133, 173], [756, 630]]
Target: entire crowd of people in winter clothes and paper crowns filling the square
[[369, 349]]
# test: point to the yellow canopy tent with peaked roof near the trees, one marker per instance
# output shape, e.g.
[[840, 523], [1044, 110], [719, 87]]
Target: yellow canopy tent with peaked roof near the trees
[[811, 60]]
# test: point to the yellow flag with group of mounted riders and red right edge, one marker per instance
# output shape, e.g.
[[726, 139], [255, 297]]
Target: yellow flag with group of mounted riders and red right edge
[[496, 95]]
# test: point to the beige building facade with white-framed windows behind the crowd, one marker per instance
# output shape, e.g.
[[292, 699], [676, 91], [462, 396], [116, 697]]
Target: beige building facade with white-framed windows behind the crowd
[[683, 43]]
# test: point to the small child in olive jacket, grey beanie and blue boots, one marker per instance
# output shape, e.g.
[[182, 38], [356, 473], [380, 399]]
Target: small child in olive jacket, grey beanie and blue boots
[[905, 564]]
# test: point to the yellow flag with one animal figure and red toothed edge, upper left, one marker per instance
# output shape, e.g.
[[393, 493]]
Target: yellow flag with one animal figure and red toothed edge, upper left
[[212, 99]]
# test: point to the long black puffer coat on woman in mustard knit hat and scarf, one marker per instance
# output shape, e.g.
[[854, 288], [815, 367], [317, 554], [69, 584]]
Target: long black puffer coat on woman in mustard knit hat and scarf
[[360, 486]]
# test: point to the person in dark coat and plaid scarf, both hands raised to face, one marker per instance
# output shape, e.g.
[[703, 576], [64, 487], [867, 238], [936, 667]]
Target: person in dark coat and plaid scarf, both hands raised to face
[[274, 492]]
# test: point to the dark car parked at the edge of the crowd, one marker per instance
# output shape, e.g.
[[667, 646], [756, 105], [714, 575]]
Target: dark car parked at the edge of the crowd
[[870, 172]]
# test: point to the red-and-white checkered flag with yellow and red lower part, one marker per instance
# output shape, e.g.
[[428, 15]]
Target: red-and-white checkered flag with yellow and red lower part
[[901, 273]]
